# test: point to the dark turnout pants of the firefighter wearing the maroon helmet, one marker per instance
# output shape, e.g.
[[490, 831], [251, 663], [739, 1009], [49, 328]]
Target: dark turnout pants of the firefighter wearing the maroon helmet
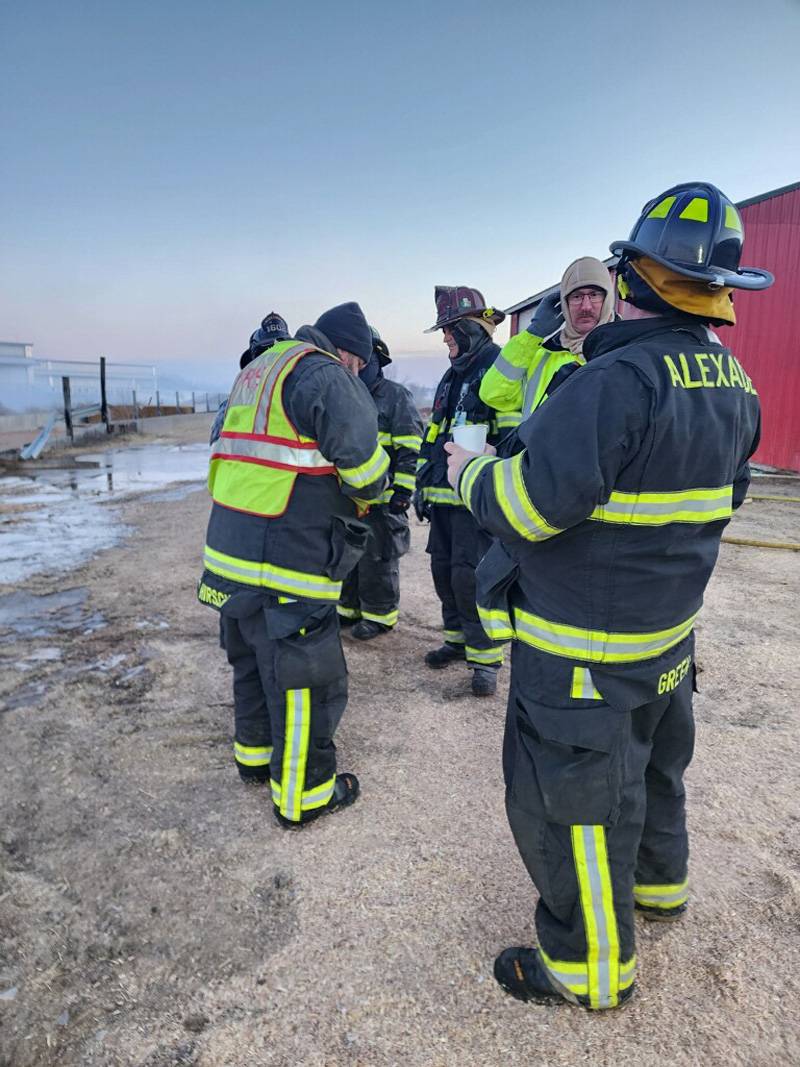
[[457, 546]]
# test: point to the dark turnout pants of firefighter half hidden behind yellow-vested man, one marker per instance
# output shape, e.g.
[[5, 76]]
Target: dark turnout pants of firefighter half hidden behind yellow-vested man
[[373, 588]]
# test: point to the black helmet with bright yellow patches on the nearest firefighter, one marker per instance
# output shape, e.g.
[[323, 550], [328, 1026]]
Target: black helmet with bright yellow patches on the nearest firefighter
[[696, 231]]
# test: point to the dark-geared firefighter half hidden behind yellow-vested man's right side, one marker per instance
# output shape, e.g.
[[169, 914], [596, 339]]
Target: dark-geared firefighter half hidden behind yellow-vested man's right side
[[371, 596]]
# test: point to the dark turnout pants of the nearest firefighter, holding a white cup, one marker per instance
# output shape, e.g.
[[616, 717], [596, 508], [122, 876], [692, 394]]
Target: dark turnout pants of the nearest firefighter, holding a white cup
[[596, 801]]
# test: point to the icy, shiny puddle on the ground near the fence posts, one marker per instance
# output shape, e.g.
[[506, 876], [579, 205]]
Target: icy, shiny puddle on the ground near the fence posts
[[53, 520]]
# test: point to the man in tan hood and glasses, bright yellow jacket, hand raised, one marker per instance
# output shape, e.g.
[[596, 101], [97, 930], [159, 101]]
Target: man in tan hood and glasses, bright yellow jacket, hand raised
[[537, 361]]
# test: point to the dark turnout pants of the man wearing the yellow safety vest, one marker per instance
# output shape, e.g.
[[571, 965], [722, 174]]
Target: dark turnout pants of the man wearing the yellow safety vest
[[291, 691]]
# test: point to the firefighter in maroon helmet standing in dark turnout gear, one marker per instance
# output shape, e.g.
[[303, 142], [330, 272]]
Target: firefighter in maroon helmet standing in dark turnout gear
[[456, 543]]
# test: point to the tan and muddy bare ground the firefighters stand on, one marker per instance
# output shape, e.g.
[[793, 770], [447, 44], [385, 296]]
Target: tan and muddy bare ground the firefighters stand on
[[153, 914]]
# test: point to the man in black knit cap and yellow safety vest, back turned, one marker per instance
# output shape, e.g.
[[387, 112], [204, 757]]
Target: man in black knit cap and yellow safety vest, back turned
[[297, 463]]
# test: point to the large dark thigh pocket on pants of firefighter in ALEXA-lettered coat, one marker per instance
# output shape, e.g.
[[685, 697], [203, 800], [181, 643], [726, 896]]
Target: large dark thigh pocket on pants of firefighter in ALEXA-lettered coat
[[569, 765]]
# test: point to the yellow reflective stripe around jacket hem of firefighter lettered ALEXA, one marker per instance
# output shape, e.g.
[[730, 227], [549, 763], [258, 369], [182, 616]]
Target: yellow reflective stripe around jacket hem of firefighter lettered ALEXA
[[597, 646]]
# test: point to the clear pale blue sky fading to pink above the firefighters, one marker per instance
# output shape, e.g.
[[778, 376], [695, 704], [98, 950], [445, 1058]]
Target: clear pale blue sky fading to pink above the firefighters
[[173, 171]]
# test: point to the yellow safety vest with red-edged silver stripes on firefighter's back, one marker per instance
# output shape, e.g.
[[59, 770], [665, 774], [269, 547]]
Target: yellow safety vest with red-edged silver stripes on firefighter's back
[[260, 454]]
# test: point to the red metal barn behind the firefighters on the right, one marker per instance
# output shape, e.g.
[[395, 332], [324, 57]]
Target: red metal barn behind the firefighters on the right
[[766, 338]]
